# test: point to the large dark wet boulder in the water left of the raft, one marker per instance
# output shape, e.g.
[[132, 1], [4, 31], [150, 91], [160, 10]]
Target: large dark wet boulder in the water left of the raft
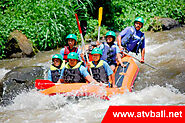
[[17, 80]]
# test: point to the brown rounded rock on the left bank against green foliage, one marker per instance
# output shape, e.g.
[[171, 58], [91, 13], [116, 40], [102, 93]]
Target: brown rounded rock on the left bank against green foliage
[[19, 44]]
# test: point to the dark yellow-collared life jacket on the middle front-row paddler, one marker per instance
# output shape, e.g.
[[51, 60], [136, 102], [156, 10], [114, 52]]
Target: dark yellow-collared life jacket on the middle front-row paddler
[[73, 75]]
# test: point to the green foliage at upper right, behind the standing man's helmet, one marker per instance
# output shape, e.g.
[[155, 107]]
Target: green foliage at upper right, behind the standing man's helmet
[[124, 12]]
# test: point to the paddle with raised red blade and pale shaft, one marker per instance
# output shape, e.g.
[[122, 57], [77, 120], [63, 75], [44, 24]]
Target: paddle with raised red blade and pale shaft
[[83, 44]]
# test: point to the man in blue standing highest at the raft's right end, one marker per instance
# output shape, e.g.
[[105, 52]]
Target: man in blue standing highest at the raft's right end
[[131, 39]]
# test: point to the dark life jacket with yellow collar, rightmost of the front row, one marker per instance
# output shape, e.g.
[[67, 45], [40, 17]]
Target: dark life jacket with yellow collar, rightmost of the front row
[[99, 73]]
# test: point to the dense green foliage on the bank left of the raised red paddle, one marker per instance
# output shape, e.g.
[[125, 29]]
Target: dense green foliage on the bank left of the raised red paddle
[[45, 22]]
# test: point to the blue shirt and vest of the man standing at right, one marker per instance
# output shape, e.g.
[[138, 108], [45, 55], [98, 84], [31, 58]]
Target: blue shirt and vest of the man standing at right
[[131, 37]]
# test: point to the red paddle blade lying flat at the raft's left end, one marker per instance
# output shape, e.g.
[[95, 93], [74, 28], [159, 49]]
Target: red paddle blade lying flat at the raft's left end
[[43, 84]]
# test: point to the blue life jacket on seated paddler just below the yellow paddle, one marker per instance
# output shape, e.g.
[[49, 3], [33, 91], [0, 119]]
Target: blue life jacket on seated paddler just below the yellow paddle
[[109, 53]]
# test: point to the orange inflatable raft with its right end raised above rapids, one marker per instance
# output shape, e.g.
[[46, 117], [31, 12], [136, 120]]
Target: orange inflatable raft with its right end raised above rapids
[[124, 78]]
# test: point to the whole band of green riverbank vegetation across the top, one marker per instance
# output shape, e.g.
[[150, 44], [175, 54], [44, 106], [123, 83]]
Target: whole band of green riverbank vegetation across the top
[[47, 22]]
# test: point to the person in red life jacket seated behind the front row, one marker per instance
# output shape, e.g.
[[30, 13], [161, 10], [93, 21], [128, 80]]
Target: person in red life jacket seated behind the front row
[[71, 40]]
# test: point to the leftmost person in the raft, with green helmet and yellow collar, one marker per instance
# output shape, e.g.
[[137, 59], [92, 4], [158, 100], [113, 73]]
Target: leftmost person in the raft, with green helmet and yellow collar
[[56, 67]]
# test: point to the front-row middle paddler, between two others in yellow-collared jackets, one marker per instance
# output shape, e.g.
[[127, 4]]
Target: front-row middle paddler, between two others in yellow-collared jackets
[[74, 71]]
